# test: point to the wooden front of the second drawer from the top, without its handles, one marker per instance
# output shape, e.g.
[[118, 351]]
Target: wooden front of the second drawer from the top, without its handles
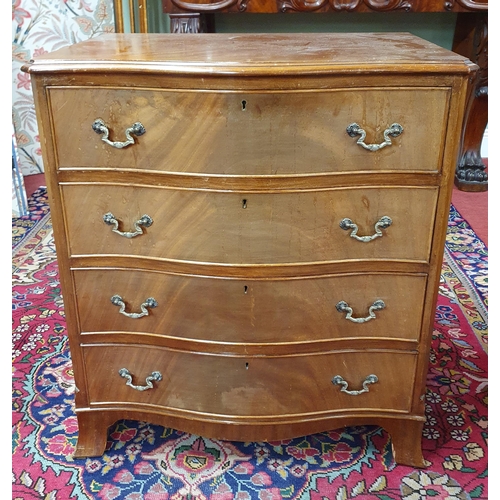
[[214, 227]]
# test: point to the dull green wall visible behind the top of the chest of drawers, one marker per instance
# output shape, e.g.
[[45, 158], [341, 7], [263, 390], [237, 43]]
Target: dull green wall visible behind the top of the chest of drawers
[[435, 27]]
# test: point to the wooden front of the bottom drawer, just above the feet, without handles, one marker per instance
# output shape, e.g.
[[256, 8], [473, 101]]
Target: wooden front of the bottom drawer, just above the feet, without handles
[[244, 387]]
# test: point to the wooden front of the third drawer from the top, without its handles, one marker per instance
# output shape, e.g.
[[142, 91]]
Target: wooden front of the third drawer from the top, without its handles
[[248, 311]]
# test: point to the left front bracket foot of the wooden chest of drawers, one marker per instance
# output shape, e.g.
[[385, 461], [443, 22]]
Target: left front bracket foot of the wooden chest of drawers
[[92, 433]]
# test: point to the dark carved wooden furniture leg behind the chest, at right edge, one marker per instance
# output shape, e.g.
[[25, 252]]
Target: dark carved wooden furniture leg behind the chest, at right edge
[[471, 40]]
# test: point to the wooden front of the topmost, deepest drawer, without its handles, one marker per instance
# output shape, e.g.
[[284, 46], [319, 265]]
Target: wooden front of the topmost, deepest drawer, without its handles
[[250, 133]]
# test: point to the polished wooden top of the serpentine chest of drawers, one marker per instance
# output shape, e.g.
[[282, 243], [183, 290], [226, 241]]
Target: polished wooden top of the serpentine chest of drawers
[[254, 54]]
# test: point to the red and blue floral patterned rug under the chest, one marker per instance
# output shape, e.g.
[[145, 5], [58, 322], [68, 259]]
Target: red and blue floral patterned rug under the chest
[[147, 462]]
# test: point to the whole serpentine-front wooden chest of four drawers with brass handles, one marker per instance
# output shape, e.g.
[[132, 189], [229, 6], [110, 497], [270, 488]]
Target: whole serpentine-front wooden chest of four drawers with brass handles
[[250, 228]]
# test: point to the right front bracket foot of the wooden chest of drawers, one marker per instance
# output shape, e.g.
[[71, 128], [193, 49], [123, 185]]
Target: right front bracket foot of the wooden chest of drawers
[[406, 436]]
